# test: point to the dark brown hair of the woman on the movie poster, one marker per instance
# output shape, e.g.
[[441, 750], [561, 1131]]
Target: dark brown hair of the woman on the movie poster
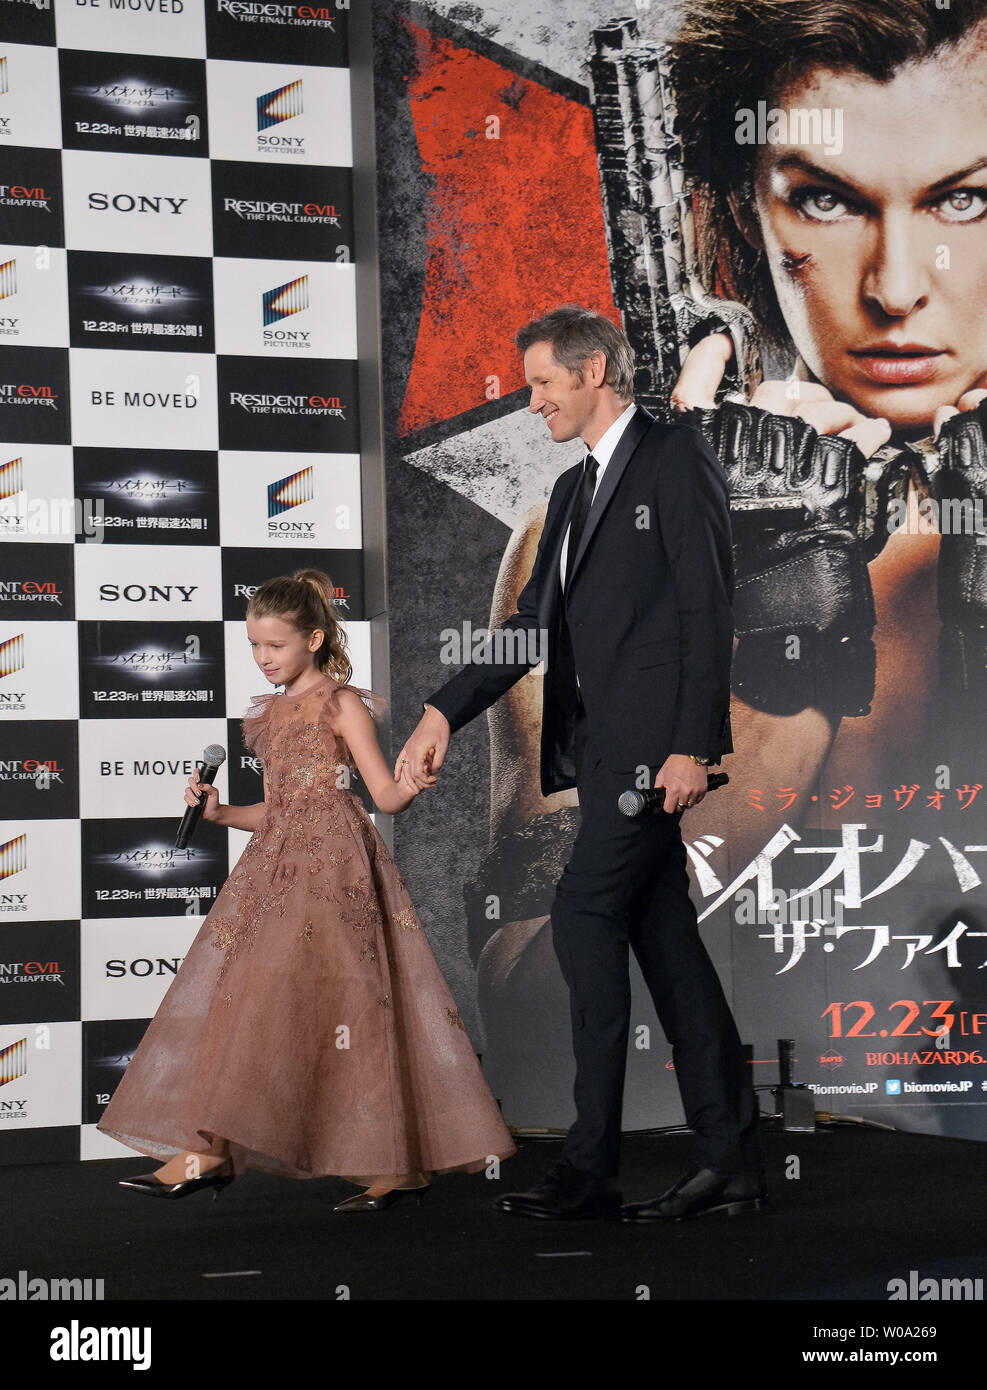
[[733, 54]]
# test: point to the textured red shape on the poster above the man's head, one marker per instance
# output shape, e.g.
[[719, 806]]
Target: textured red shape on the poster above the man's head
[[515, 224]]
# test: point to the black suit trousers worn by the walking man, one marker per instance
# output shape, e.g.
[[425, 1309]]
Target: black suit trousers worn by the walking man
[[626, 885]]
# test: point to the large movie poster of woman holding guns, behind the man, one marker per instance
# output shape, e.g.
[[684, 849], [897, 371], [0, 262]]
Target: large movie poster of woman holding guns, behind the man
[[797, 209]]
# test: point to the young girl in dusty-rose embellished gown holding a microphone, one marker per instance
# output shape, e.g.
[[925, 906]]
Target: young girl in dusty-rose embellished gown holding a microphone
[[309, 1031]]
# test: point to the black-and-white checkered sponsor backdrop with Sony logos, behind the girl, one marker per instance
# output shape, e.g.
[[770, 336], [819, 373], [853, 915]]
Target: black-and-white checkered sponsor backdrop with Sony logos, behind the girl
[[177, 425]]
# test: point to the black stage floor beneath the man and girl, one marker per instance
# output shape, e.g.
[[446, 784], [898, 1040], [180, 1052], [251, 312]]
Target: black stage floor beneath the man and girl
[[850, 1211]]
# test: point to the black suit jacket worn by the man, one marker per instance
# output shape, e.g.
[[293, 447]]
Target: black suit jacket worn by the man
[[649, 610]]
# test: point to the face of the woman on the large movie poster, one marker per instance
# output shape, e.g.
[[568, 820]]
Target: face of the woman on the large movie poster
[[879, 251]]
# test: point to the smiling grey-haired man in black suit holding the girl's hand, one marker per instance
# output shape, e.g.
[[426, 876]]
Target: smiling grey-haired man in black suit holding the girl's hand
[[629, 601]]
